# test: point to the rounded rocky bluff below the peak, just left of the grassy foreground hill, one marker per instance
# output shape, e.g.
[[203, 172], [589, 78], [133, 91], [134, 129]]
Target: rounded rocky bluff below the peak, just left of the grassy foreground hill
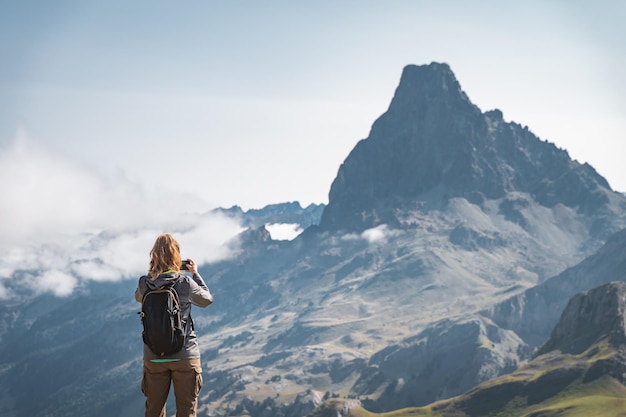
[[452, 355]]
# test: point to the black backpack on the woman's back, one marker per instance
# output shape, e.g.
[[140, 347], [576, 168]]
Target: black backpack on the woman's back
[[163, 328]]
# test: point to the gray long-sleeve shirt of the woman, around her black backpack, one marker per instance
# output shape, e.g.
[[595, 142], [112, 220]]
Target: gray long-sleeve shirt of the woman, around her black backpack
[[191, 290]]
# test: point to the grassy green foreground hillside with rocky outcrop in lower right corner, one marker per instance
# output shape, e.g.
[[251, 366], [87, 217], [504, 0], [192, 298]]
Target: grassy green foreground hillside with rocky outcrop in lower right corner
[[580, 371]]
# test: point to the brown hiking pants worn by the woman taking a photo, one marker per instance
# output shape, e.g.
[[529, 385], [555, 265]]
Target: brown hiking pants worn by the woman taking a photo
[[185, 374]]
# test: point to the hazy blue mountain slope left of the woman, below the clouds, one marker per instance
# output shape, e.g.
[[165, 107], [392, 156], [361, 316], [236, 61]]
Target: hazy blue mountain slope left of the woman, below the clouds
[[76, 356]]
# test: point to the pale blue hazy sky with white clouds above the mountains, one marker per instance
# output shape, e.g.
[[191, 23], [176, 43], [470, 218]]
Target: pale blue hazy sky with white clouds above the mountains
[[119, 114]]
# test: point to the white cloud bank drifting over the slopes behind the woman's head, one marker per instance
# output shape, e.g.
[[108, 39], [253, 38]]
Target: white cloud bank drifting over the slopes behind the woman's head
[[61, 224]]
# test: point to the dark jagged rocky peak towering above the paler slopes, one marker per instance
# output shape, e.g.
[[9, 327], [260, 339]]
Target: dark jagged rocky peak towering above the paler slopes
[[433, 144]]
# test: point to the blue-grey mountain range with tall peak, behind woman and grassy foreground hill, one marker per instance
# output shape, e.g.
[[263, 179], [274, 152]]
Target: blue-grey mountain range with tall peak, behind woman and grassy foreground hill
[[451, 243]]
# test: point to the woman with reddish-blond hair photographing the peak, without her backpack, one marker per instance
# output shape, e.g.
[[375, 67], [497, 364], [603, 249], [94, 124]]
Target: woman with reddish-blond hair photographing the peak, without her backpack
[[183, 368]]
